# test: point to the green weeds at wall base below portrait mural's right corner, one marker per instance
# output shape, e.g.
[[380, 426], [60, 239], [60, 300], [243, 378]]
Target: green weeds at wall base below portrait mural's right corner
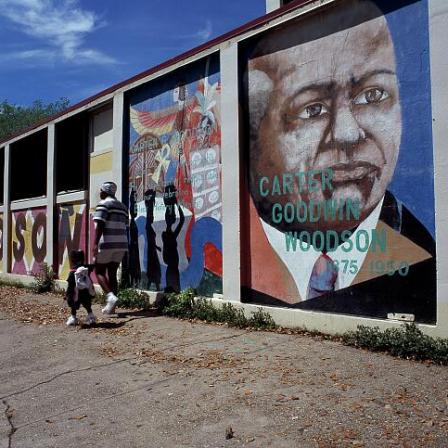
[[407, 342]]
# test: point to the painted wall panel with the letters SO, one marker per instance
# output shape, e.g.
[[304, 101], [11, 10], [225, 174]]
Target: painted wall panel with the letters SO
[[28, 246]]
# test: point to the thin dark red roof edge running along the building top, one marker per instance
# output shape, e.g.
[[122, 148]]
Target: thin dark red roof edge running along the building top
[[217, 40]]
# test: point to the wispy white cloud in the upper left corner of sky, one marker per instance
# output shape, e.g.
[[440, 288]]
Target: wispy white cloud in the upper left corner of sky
[[61, 25]]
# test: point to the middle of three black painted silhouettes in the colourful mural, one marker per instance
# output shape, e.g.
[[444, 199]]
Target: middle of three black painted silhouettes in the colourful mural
[[153, 263]]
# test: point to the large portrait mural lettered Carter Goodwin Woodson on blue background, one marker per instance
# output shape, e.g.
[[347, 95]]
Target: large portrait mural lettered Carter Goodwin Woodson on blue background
[[340, 202]]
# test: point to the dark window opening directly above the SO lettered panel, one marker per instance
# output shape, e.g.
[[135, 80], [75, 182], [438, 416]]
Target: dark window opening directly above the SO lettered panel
[[29, 166]]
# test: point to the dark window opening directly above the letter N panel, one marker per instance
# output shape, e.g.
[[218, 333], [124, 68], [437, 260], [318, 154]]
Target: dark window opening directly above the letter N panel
[[71, 153]]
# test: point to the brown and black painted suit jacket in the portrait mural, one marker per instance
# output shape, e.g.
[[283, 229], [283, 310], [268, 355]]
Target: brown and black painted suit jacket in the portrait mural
[[266, 279]]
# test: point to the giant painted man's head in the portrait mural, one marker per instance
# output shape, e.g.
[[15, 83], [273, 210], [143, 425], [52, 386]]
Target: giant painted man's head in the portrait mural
[[323, 95]]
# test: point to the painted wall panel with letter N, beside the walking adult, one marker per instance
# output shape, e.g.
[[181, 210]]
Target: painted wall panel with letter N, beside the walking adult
[[72, 226]]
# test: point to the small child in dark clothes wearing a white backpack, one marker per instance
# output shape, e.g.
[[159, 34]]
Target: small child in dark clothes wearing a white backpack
[[80, 288]]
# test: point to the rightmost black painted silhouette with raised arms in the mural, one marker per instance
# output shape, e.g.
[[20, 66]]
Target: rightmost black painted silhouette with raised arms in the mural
[[169, 238]]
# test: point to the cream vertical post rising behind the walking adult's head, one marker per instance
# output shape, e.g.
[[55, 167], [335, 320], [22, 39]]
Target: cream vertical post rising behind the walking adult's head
[[117, 156]]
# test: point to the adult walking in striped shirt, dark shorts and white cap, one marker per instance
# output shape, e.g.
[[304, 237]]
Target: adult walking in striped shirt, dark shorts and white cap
[[111, 242]]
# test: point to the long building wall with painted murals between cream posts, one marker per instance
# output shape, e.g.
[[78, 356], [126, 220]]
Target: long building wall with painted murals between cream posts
[[320, 126]]
